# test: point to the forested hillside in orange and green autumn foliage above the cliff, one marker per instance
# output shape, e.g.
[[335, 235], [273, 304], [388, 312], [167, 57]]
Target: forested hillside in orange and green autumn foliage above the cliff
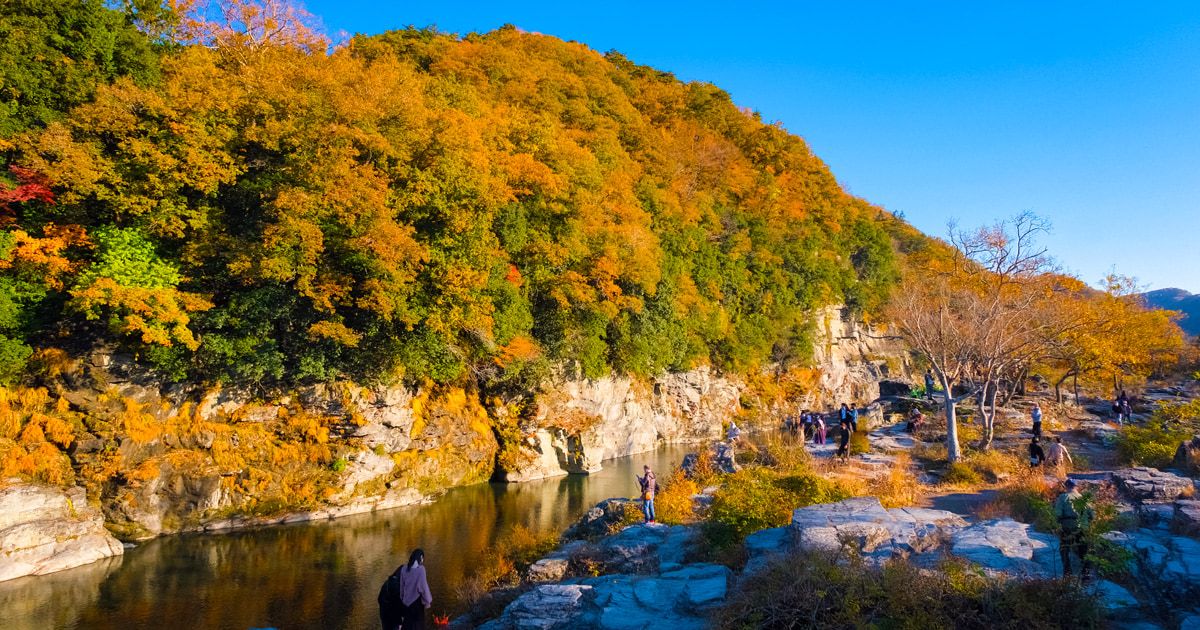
[[237, 201]]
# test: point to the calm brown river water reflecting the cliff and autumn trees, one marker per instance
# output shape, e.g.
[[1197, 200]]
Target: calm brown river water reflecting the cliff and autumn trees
[[308, 575]]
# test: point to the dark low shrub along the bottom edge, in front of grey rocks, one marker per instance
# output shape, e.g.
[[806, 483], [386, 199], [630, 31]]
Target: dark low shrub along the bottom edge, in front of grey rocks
[[823, 591]]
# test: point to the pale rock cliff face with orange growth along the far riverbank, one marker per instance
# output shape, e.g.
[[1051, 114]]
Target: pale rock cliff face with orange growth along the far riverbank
[[165, 459]]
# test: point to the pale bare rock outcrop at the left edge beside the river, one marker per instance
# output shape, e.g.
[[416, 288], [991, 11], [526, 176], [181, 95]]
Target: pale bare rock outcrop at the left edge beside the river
[[46, 530]]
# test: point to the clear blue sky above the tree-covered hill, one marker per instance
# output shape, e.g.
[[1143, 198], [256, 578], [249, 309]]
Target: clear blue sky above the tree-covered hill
[[1087, 113]]
